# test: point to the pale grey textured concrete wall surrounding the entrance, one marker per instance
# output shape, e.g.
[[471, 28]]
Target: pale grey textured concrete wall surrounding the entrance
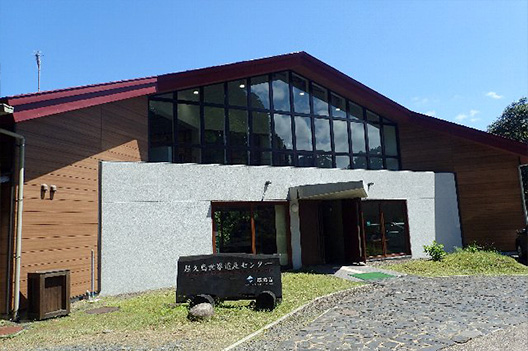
[[152, 213]]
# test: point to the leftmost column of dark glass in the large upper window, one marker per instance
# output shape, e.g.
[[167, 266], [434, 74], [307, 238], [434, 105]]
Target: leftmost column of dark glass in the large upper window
[[161, 135]]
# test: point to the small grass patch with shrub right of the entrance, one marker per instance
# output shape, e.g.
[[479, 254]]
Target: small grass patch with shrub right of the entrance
[[462, 263]]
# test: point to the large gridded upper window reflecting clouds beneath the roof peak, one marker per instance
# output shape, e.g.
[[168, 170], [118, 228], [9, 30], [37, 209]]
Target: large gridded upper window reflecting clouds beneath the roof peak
[[280, 119]]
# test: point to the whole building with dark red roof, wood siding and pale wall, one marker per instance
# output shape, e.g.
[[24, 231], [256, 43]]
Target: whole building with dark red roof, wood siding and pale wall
[[361, 176]]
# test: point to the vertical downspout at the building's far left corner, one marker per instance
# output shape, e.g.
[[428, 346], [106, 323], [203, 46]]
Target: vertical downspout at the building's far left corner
[[20, 208]]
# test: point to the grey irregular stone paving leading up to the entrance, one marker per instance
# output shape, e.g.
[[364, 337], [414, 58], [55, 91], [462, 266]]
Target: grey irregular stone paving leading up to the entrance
[[413, 313]]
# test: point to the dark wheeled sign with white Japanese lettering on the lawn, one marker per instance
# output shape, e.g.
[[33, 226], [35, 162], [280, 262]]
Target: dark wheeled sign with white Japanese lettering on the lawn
[[230, 277]]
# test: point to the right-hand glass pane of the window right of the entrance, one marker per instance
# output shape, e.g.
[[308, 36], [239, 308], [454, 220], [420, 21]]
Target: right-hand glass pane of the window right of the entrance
[[395, 227]]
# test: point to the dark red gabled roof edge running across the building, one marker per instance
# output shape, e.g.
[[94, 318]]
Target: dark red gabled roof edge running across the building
[[35, 105]]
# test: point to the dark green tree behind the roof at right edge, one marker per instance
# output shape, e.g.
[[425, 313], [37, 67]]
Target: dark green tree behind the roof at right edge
[[513, 123]]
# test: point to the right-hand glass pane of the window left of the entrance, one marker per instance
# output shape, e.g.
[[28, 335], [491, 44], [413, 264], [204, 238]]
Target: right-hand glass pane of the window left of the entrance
[[265, 235]]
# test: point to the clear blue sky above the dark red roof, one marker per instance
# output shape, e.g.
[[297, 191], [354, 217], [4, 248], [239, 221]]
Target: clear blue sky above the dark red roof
[[459, 60]]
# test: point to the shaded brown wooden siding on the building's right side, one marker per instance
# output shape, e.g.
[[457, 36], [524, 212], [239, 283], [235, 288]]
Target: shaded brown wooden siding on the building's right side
[[488, 185]]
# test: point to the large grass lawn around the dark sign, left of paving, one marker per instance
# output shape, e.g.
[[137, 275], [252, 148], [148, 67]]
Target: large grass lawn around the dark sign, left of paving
[[153, 319]]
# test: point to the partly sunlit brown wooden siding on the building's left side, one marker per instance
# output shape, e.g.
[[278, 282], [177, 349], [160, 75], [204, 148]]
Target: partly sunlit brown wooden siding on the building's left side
[[65, 150]]
